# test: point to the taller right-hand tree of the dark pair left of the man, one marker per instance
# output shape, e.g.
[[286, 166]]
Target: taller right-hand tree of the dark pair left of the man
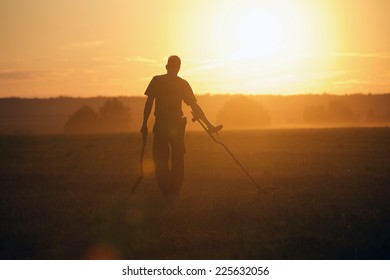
[[115, 116]]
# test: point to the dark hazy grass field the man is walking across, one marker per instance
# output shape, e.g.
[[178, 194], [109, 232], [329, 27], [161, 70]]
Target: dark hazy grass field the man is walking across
[[67, 197]]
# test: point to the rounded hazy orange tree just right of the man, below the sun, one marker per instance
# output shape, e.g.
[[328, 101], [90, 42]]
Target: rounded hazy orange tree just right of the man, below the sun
[[243, 112]]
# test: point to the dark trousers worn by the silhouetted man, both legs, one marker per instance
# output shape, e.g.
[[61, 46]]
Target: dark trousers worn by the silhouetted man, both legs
[[168, 154]]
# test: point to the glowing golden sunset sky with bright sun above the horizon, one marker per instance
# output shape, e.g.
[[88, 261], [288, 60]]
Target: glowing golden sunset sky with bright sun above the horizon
[[85, 48]]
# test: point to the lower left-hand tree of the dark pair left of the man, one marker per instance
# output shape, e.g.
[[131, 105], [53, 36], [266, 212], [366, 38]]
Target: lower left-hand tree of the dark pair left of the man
[[84, 120]]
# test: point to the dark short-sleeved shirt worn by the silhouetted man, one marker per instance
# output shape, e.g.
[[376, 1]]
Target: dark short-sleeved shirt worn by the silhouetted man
[[169, 92]]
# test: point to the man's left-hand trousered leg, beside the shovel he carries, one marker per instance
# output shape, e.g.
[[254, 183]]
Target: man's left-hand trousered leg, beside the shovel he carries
[[161, 158]]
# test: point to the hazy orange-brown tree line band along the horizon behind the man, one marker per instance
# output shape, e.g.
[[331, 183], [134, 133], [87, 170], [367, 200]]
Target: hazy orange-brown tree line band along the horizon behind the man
[[86, 115]]
